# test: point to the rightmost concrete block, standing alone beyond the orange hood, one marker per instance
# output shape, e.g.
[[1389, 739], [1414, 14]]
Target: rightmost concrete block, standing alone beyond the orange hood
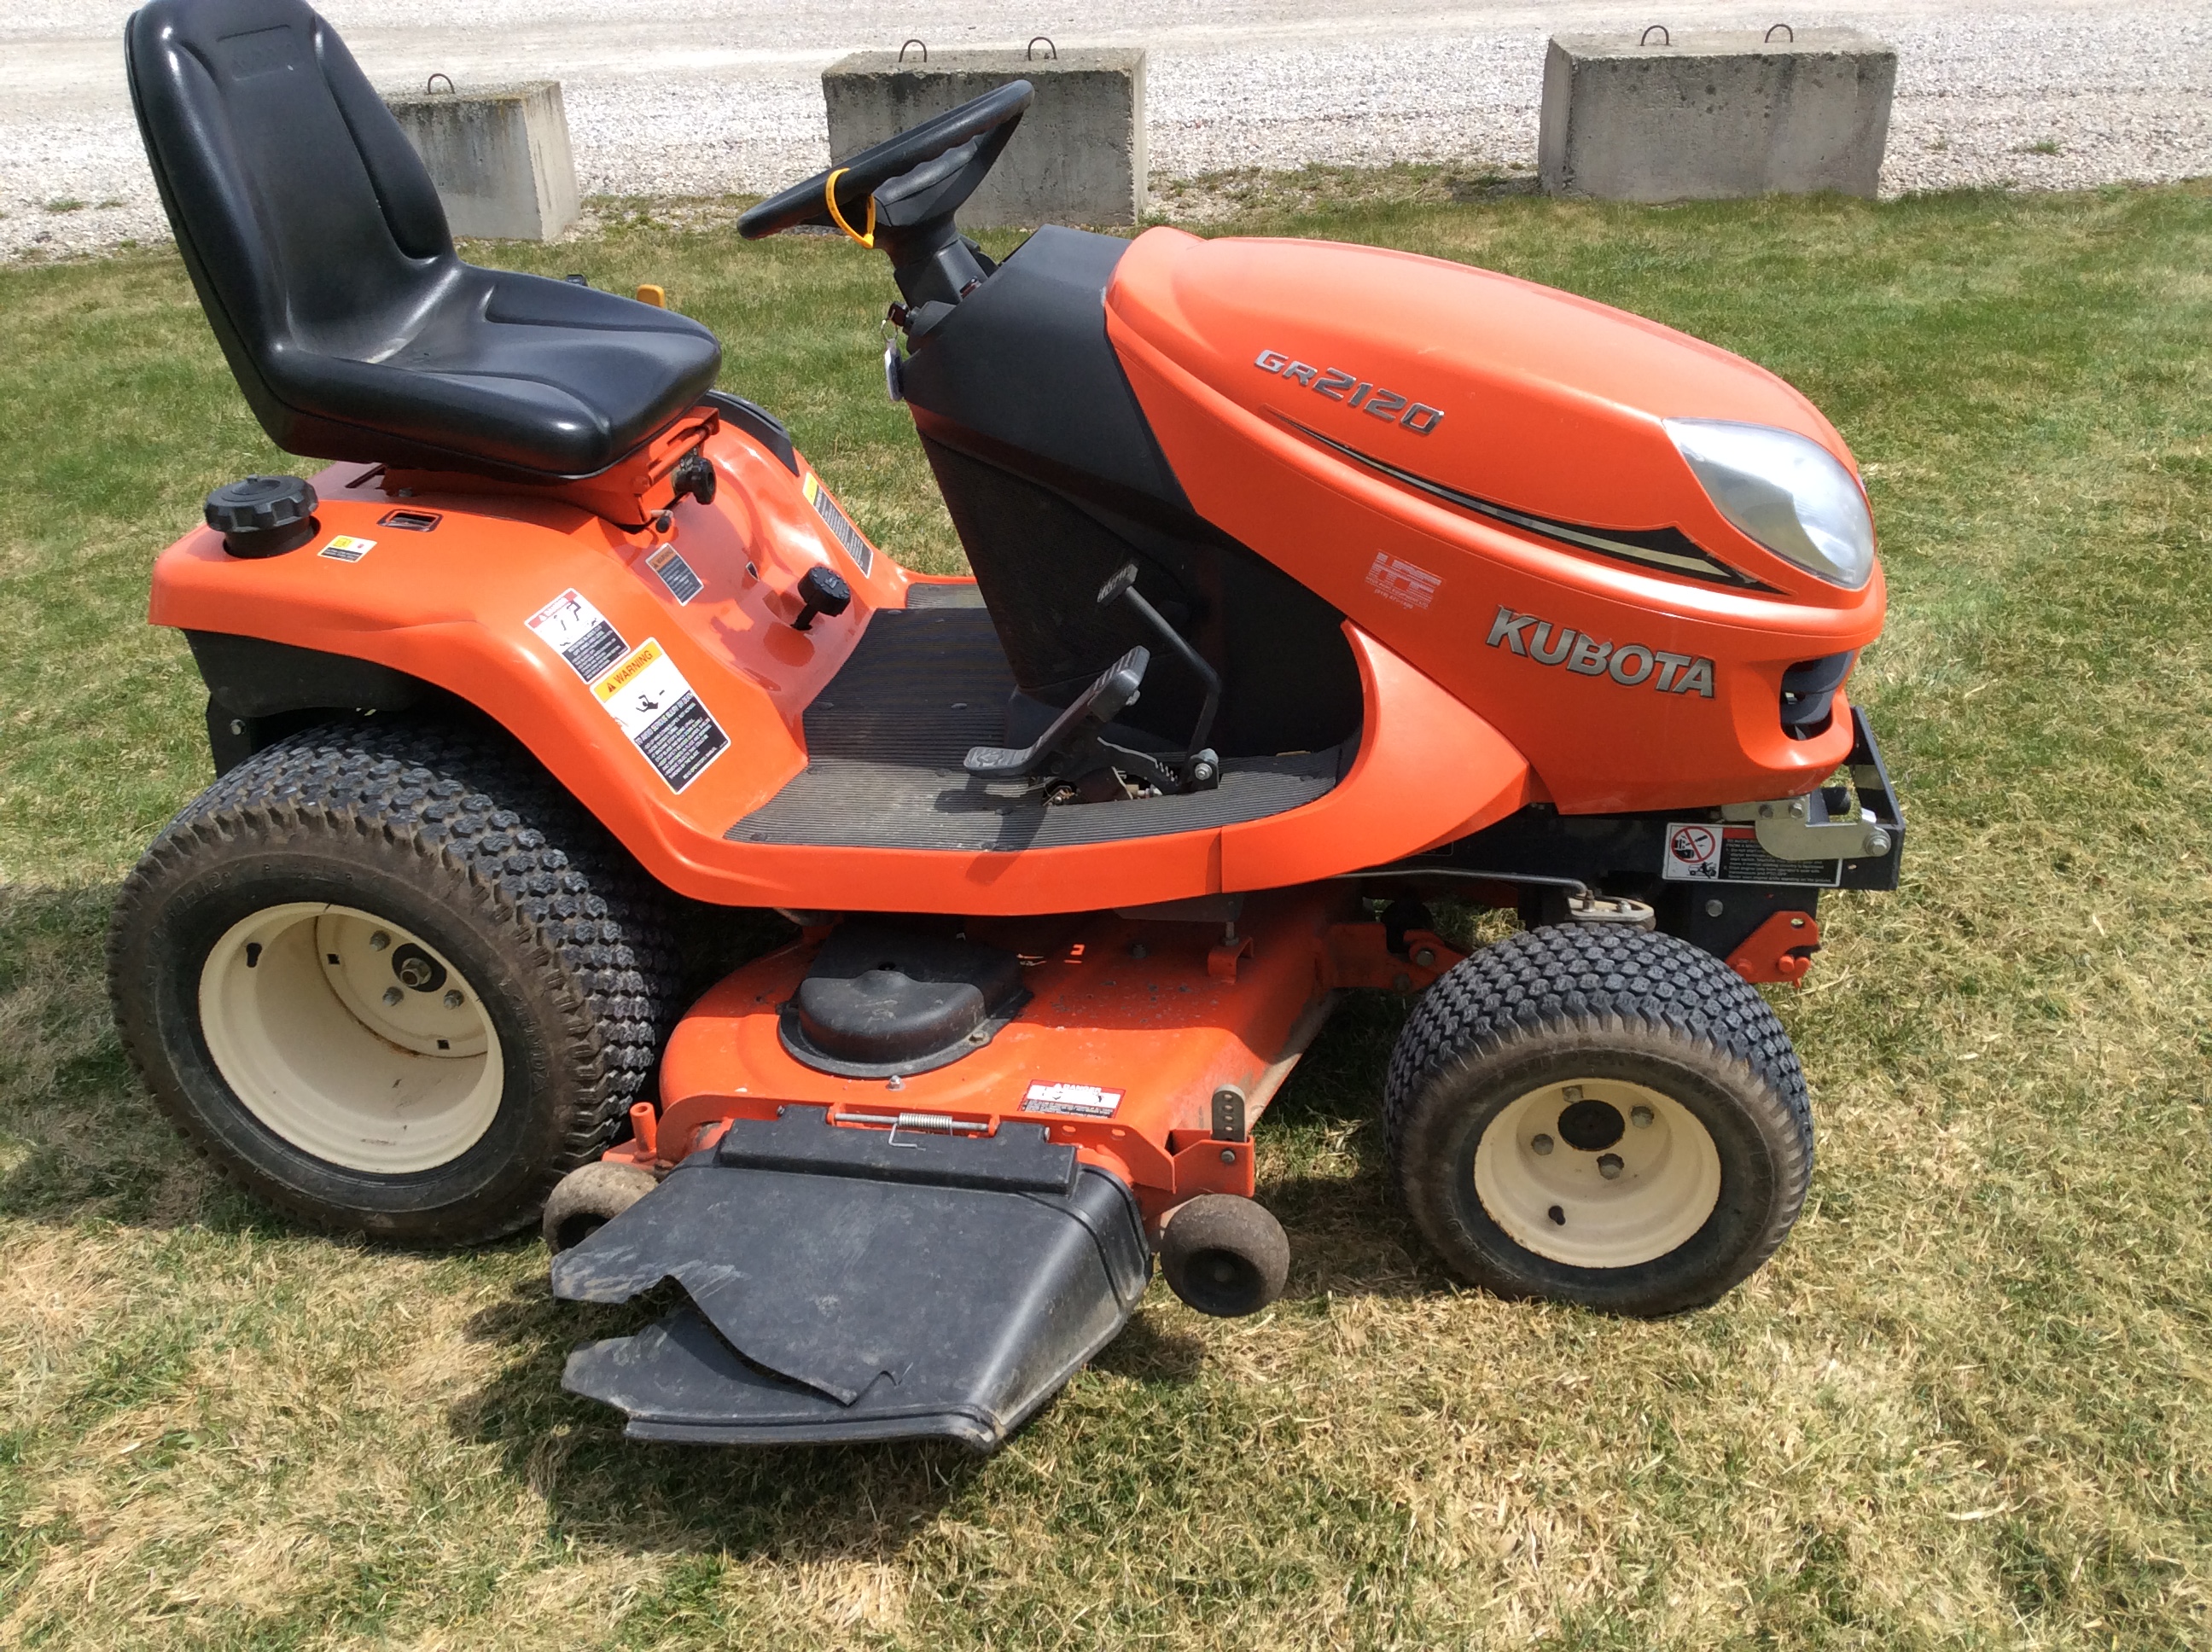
[[1715, 114]]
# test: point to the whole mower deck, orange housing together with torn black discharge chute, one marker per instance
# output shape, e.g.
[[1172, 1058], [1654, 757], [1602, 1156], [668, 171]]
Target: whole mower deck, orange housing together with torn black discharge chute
[[937, 1253]]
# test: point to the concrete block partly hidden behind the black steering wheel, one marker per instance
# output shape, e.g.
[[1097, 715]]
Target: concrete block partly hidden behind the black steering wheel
[[1078, 156]]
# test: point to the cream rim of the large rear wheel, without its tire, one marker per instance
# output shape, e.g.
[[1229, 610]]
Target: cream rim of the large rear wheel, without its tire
[[320, 1023]]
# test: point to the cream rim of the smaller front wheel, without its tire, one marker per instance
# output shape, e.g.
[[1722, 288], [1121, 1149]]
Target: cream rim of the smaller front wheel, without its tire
[[1561, 1202]]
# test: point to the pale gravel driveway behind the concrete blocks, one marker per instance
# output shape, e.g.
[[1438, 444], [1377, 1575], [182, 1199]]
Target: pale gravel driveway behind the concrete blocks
[[718, 96]]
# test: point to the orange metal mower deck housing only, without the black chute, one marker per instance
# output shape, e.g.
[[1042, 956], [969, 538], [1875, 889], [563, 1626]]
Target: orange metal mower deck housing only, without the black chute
[[1134, 1032]]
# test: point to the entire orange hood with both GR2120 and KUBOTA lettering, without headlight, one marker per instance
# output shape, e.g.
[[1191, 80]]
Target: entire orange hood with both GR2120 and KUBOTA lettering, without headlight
[[1474, 470]]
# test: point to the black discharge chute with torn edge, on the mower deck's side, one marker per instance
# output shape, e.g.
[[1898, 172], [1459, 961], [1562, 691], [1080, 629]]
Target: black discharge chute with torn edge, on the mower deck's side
[[859, 1284]]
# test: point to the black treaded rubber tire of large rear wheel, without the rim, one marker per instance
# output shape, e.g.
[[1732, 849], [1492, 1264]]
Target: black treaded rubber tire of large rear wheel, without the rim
[[452, 830]]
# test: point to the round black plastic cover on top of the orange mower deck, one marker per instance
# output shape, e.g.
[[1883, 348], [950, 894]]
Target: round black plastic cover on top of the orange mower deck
[[884, 1003]]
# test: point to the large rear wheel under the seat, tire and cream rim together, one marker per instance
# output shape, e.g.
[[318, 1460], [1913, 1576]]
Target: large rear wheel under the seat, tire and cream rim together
[[393, 981]]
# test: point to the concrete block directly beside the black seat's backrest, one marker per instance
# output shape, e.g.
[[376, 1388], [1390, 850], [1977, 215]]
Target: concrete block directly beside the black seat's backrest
[[499, 158]]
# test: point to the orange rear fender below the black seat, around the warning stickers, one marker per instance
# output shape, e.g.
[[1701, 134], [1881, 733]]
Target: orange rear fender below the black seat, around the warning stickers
[[455, 609]]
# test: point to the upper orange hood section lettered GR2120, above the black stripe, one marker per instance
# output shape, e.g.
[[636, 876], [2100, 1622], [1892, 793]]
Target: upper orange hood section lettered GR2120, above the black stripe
[[1510, 393]]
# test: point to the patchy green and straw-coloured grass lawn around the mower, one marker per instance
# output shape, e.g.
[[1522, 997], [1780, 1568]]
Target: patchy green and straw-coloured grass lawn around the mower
[[1965, 1405]]
